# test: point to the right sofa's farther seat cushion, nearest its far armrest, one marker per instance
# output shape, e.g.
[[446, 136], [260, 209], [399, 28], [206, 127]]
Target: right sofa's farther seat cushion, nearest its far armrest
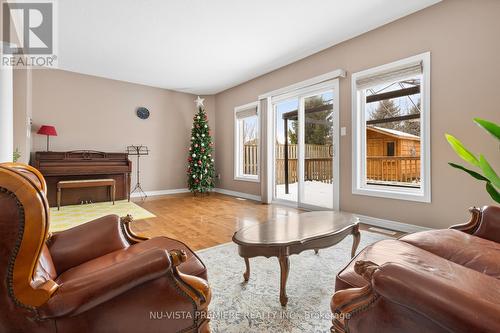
[[476, 253]]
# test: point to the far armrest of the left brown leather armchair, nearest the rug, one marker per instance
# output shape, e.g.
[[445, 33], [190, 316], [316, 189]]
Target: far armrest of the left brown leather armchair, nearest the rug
[[72, 247]]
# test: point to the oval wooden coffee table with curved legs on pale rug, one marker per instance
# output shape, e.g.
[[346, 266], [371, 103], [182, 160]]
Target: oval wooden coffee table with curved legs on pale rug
[[289, 235]]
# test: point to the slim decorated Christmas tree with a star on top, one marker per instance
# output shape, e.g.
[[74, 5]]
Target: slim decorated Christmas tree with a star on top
[[201, 168]]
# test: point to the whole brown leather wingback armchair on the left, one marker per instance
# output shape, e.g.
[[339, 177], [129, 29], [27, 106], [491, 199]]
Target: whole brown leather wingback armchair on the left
[[97, 277]]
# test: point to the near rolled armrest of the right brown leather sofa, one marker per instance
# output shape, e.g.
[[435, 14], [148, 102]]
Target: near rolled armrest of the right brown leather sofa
[[464, 301]]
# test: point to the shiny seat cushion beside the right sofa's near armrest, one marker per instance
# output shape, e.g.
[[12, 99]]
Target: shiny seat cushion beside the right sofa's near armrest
[[394, 251]]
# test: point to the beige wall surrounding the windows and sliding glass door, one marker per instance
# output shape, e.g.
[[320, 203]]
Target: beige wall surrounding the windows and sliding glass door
[[462, 37]]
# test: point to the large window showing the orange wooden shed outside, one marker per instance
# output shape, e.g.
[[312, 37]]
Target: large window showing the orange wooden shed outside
[[391, 130]]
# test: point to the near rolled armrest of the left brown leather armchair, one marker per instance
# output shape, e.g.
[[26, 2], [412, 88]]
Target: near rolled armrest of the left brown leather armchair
[[83, 293]]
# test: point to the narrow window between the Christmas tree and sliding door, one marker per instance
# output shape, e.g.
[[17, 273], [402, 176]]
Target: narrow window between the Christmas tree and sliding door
[[246, 142]]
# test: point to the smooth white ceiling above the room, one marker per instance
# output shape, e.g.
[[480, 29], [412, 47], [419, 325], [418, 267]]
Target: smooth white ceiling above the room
[[204, 47]]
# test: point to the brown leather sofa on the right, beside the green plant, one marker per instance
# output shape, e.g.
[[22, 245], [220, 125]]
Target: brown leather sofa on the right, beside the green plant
[[431, 281]]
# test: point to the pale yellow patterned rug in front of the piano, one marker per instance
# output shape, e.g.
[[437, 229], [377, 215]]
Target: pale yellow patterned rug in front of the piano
[[71, 216]]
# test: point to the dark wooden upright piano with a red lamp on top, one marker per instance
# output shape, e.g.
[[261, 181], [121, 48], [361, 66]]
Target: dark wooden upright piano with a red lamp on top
[[84, 164]]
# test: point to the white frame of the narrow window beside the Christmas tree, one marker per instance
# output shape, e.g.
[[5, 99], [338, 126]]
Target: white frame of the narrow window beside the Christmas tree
[[237, 151]]
